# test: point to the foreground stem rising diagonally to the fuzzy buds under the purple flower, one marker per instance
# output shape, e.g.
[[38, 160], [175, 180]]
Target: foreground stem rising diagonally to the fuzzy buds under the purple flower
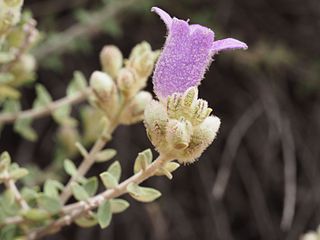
[[82, 207]]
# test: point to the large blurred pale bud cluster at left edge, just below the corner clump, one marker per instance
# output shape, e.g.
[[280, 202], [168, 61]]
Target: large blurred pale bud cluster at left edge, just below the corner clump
[[16, 39]]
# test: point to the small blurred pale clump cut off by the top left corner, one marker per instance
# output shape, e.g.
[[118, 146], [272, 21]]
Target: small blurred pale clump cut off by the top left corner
[[10, 11]]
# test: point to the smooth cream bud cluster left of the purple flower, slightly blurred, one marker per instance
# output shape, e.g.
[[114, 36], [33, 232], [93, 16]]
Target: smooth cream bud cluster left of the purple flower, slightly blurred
[[117, 88]]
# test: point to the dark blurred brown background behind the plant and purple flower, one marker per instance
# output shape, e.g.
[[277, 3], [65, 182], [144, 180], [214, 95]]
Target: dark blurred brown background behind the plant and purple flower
[[260, 179]]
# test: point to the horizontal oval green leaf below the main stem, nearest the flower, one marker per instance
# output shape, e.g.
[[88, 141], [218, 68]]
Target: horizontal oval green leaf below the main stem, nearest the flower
[[143, 194]]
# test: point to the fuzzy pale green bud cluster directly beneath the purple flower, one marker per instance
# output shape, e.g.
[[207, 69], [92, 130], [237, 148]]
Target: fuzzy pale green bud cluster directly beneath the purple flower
[[181, 126]]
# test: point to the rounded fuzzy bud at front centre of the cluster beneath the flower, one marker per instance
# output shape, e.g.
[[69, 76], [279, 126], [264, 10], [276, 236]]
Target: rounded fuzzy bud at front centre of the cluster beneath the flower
[[179, 133]]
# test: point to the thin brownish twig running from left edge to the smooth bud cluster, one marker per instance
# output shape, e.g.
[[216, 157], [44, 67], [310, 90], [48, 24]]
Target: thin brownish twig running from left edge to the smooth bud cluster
[[46, 110]]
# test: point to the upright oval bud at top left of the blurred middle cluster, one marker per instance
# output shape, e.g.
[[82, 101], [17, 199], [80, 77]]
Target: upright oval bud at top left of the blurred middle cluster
[[111, 60]]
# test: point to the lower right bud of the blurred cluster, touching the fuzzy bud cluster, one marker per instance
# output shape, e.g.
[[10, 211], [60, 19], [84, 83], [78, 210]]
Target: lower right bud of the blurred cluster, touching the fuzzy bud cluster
[[134, 112]]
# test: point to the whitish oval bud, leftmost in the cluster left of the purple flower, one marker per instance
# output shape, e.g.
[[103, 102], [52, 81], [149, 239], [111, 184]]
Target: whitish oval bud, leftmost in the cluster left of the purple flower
[[105, 93]]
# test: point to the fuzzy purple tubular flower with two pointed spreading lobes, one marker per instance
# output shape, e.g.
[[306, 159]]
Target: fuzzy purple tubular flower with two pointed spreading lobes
[[187, 53]]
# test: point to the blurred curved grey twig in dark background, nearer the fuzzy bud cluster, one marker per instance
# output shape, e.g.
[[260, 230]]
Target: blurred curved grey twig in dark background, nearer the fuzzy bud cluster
[[237, 133]]
